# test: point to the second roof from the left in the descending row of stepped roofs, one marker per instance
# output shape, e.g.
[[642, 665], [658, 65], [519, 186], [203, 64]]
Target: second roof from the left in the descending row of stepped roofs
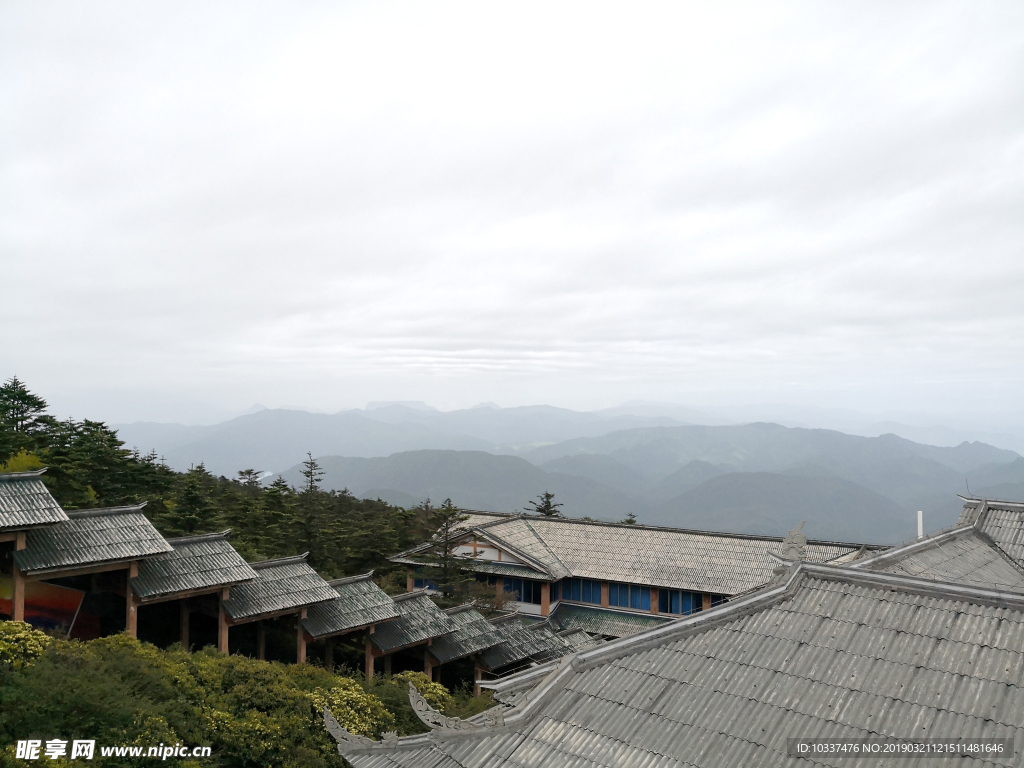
[[91, 538]]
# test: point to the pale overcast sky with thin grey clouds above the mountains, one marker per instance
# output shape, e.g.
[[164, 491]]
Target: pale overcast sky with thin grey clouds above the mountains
[[206, 205]]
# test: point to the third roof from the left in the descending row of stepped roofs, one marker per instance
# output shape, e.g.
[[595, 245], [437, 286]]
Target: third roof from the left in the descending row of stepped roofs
[[196, 563]]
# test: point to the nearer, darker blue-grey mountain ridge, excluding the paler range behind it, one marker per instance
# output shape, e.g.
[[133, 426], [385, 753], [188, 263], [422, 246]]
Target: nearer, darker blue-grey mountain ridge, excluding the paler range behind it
[[758, 479]]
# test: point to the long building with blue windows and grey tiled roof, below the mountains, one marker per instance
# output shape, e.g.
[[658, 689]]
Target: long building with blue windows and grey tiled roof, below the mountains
[[613, 580]]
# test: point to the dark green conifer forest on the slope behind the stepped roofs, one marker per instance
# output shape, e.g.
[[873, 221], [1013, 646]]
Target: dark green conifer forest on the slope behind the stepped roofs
[[89, 466]]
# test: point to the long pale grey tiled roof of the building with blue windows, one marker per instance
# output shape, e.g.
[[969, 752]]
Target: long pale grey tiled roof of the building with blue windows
[[701, 562]]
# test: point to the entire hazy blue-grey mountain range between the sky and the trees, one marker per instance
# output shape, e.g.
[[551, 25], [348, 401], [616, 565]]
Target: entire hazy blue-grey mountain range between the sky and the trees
[[752, 479]]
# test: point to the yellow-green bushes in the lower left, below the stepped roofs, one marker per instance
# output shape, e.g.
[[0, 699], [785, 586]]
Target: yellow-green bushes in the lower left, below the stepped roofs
[[121, 692]]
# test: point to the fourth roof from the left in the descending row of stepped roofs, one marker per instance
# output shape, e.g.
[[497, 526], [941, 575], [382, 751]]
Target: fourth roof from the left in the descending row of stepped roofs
[[283, 585]]
